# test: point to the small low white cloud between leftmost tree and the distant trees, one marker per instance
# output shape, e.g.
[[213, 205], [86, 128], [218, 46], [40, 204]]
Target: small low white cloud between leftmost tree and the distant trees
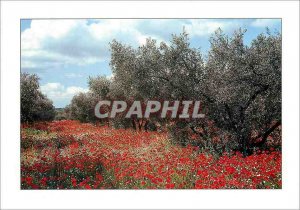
[[58, 93]]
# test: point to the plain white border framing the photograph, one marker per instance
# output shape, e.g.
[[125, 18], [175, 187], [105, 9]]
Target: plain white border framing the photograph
[[13, 197]]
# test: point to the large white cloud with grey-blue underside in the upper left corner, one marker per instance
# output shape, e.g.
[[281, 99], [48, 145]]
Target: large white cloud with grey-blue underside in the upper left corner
[[53, 43]]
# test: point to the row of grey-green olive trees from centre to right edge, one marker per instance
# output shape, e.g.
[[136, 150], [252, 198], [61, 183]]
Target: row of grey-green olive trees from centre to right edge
[[239, 86]]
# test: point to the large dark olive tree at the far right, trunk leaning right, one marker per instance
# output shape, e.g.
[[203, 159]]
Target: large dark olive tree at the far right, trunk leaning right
[[243, 86]]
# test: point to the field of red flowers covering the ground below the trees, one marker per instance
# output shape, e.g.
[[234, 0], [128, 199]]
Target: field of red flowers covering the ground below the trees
[[72, 155]]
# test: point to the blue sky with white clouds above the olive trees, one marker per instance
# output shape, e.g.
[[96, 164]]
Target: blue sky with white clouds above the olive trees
[[65, 52]]
